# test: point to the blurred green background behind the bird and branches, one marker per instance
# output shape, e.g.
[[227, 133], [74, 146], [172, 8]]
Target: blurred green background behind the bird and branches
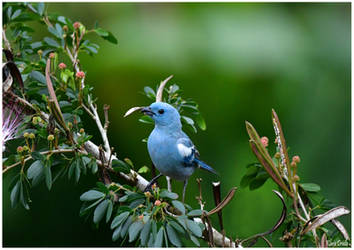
[[238, 61]]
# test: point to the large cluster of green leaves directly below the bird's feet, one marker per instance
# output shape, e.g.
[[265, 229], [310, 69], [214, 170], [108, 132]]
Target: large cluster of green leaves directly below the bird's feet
[[143, 218]]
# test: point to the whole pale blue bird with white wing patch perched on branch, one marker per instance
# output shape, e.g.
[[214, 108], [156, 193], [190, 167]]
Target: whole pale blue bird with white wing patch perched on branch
[[170, 149]]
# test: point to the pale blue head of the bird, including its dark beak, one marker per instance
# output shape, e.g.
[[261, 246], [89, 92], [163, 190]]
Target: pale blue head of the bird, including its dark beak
[[163, 114]]
